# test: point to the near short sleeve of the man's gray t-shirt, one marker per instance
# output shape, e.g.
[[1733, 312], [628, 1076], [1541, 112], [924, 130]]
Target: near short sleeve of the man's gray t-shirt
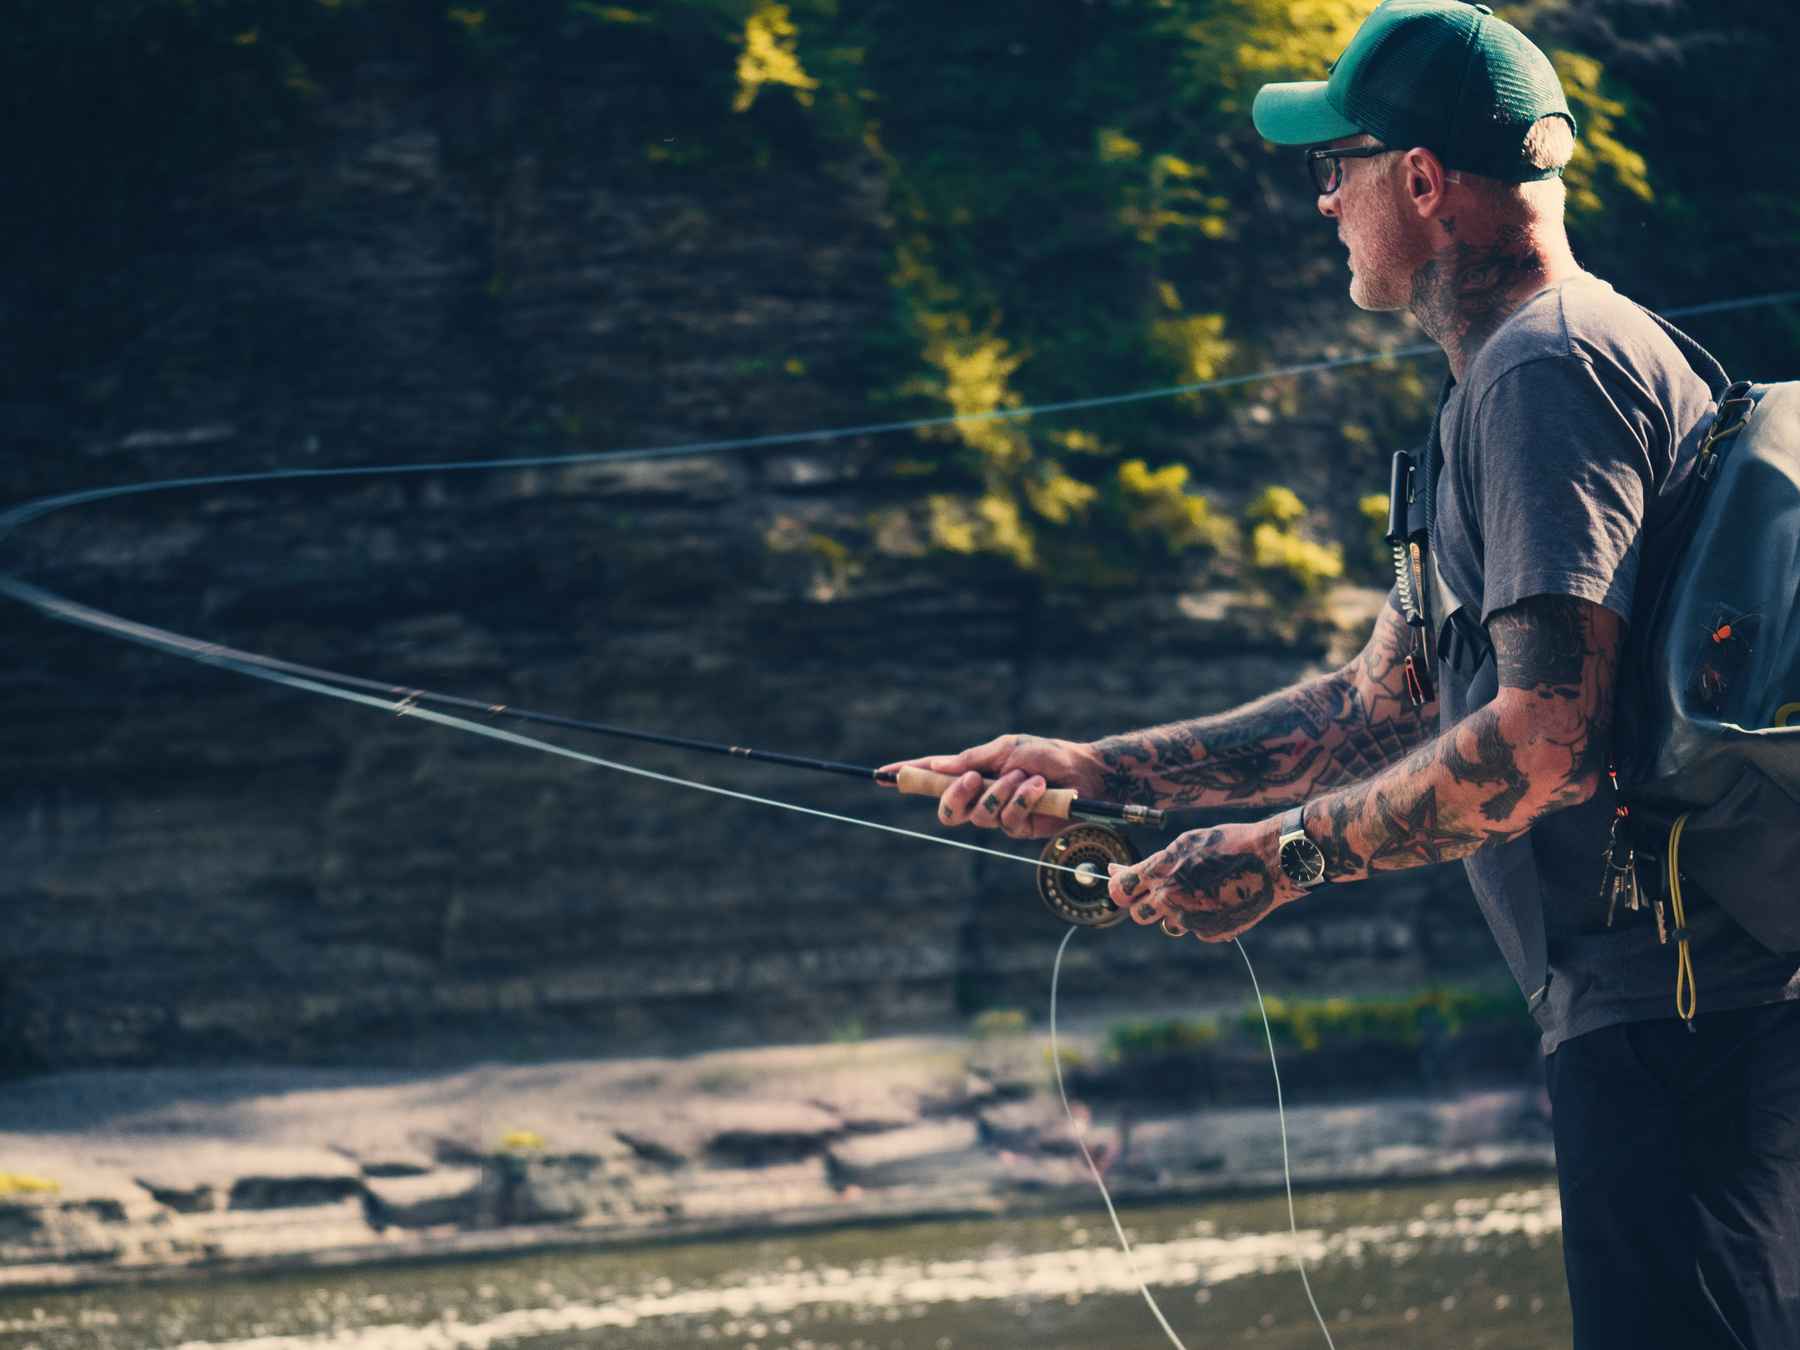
[[1561, 478]]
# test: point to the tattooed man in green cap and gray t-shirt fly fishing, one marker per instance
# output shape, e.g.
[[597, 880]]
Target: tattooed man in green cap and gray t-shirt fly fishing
[[1569, 426]]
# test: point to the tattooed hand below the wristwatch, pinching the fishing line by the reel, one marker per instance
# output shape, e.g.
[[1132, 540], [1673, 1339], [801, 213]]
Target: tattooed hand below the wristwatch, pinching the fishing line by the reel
[[1210, 883]]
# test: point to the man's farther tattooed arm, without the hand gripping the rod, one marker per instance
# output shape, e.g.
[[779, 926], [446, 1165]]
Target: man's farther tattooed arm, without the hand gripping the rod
[[1282, 750]]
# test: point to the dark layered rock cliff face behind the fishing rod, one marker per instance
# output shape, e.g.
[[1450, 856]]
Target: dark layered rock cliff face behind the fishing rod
[[201, 868]]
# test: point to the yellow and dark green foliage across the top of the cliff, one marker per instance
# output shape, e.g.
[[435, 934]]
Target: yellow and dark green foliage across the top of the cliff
[[1074, 197]]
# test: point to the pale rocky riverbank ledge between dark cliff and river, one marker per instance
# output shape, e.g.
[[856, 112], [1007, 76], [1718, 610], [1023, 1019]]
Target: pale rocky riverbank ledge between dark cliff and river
[[148, 1174]]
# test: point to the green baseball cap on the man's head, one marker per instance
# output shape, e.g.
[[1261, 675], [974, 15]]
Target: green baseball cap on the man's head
[[1426, 73]]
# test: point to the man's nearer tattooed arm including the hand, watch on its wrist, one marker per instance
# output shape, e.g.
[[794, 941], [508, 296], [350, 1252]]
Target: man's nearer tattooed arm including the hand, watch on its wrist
[[1540, 746]]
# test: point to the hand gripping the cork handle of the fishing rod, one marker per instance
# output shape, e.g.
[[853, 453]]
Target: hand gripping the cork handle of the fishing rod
[[1023, 769]]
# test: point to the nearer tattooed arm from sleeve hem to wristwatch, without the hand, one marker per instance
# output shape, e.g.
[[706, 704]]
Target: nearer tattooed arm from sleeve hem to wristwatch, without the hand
[[1538, 748]]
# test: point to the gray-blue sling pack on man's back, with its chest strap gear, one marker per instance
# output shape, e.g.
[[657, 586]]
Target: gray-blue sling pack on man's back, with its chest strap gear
[[1707, 708]]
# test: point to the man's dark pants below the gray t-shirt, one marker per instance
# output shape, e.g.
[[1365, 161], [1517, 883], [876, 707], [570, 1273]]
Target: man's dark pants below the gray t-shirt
[[1678, 1156]]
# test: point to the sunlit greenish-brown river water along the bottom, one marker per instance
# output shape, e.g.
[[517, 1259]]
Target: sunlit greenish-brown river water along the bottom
[[1457, 1266]]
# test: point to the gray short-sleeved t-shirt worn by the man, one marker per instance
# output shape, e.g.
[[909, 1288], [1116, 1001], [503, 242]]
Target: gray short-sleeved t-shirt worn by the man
[[1565, 444]]
